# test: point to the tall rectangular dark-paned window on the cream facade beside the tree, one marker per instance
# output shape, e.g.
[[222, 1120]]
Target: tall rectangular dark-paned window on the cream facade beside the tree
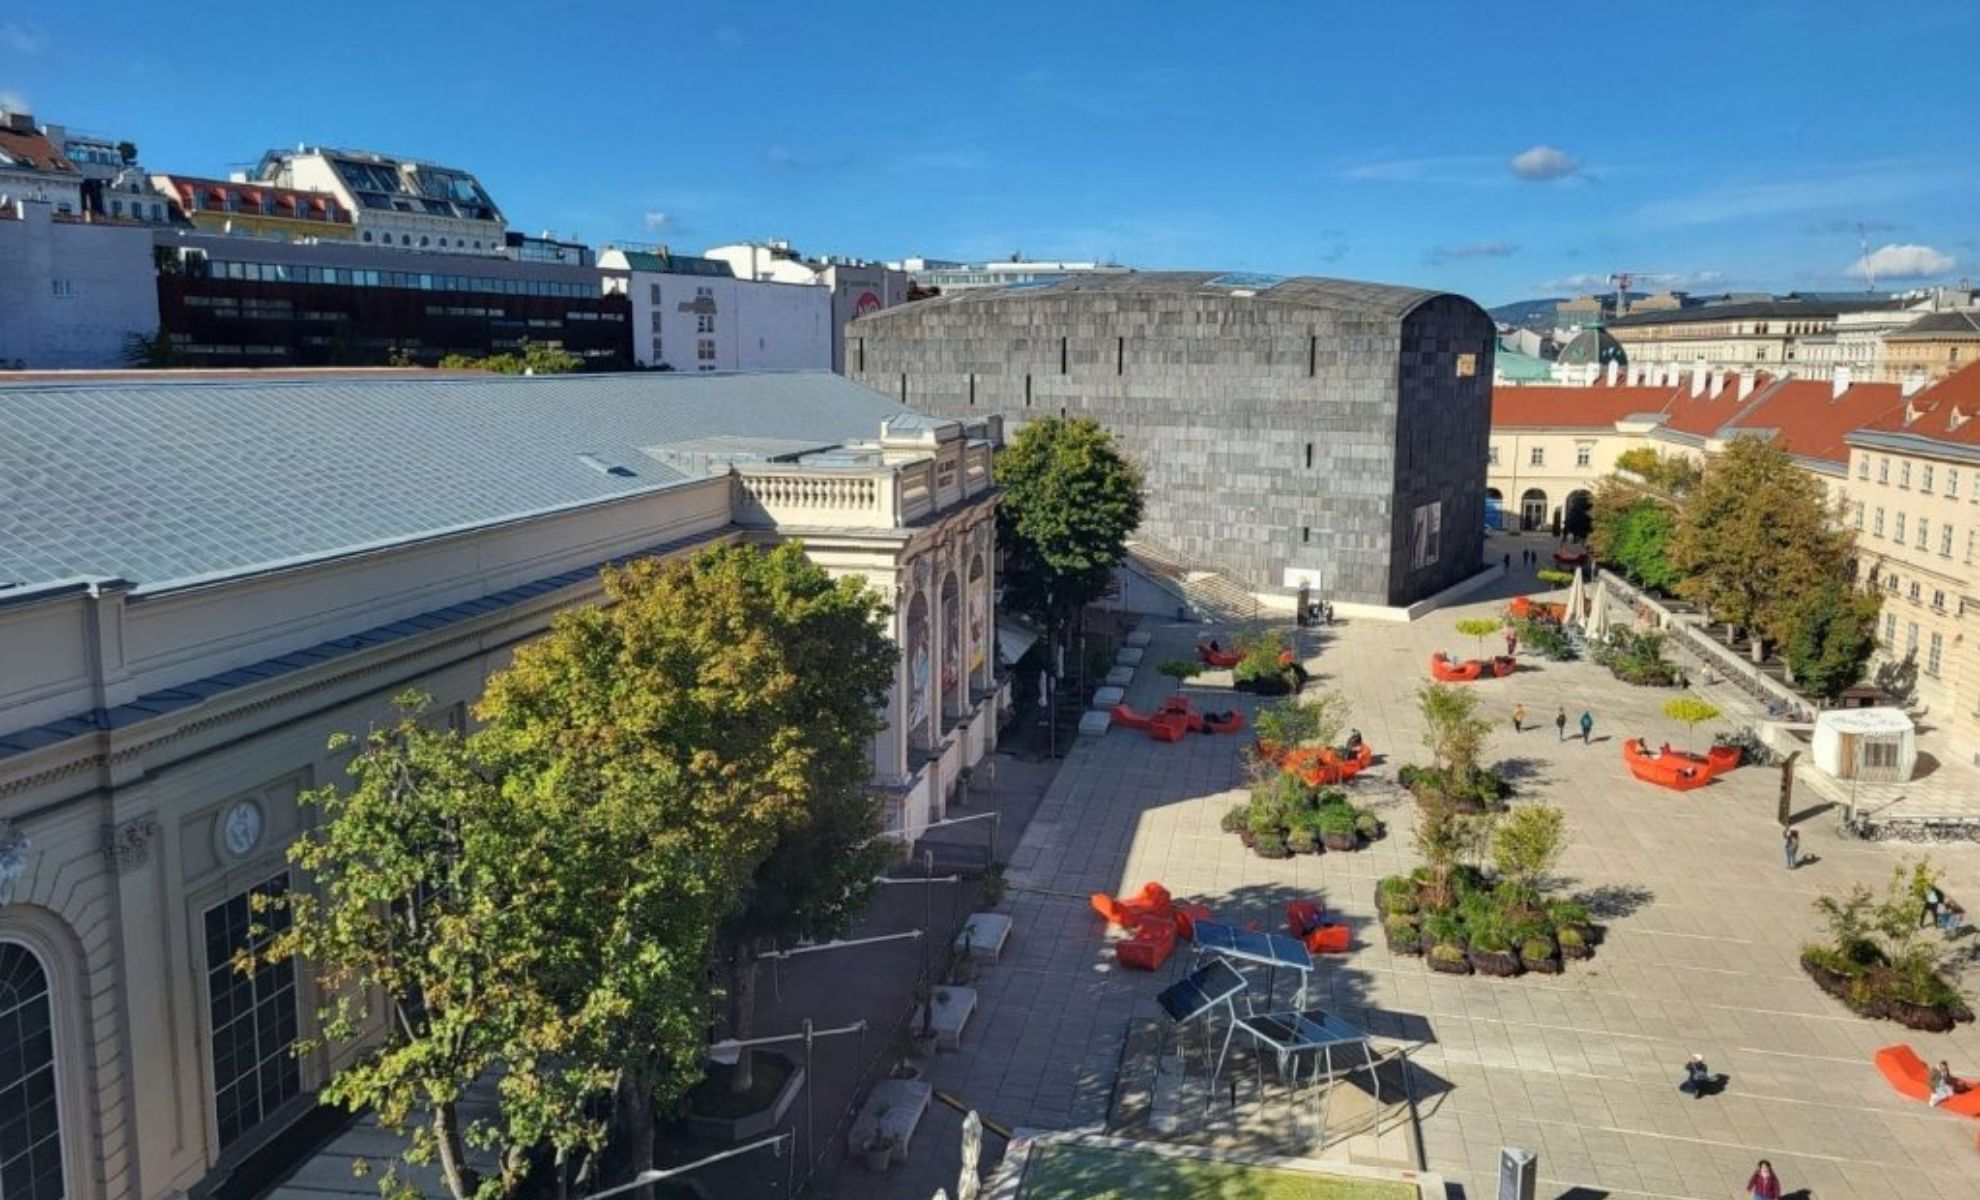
[[250, 1017]]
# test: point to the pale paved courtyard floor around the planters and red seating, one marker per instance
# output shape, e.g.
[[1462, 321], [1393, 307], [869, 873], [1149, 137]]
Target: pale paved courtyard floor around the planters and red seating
[[1581, 1068]]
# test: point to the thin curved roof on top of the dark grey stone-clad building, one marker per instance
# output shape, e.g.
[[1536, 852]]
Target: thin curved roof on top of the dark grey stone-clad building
[[1288, 290]]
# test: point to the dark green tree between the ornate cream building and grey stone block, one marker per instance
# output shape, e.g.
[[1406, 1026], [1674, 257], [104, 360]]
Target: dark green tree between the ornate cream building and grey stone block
[[1070, 504]]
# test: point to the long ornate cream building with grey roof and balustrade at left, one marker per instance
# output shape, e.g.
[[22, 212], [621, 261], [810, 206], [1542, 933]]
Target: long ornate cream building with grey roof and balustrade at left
[[290, 555]]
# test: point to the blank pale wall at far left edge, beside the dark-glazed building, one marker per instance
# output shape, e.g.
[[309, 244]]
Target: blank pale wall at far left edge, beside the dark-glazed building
[[70, 294]]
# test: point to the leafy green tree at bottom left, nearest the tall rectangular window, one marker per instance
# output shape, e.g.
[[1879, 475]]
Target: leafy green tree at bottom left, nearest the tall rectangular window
[[437, 894]]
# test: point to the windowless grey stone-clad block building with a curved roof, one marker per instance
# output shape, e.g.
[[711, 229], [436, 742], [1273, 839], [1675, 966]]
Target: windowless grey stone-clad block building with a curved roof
[[1292, 431]]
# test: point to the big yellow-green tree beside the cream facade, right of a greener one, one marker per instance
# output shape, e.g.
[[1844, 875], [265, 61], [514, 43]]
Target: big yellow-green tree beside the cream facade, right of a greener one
[[718, 718]]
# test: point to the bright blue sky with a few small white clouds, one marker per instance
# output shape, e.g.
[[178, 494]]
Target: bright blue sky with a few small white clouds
[[1494, 150]]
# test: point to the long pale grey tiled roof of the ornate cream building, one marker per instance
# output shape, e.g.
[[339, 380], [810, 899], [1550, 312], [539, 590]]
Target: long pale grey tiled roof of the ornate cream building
[[163, 482]]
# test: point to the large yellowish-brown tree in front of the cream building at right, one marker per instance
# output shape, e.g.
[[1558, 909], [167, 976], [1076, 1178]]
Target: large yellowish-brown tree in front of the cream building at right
[[1755, 538]]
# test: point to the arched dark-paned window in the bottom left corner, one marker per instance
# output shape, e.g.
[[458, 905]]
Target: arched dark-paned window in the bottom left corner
[[31, 1124]]
